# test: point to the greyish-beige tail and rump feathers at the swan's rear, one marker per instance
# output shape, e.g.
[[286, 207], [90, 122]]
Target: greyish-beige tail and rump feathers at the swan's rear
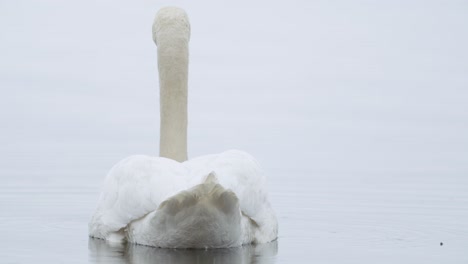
[[205, 216]]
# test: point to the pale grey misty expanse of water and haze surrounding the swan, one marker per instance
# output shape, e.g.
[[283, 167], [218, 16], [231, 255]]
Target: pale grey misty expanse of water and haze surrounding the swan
[[368, 93]]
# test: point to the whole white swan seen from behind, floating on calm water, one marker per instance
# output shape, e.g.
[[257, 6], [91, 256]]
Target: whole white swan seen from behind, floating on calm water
[[212, 201]]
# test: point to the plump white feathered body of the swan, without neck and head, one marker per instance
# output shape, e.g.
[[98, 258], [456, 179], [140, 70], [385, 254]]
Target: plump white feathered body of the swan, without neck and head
[[219, 199]]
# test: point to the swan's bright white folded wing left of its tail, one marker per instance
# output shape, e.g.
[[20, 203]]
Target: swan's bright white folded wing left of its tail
[[133, 188]]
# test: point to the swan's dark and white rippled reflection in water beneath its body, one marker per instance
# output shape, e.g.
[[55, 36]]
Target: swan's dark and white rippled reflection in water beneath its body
[[102, 252]]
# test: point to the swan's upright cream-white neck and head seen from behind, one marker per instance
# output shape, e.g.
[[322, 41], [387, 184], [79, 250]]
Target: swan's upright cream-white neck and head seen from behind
[[171, 33]]
